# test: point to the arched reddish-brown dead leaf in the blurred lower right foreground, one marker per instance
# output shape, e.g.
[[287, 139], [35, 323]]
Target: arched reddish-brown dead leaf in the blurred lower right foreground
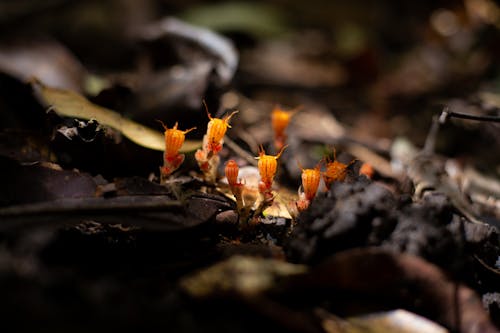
[[404, 279]]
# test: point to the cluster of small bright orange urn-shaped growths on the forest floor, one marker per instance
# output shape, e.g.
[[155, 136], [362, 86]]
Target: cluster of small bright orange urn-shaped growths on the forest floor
[[246, 196]]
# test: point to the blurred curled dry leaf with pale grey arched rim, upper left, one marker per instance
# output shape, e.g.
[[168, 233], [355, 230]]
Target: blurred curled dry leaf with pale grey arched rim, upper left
[[197, 62]]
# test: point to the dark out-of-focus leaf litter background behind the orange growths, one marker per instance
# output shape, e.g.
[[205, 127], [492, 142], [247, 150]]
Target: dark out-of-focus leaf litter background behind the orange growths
[[381, 68]]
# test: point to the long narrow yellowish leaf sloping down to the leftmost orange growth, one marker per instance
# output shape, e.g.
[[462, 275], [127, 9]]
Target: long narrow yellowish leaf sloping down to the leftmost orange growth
[[71, 104]]
